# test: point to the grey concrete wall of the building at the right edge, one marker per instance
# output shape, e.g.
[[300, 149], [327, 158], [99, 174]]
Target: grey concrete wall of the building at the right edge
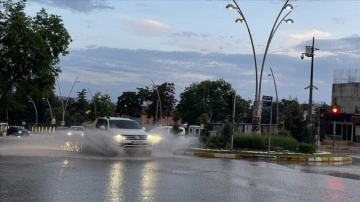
[[347, 96]]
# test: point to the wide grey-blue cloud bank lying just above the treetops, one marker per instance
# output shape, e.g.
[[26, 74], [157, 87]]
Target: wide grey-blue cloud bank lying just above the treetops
[[114, 71]]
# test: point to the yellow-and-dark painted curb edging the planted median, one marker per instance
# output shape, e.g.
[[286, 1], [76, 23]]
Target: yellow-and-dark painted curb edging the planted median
[[205, 154]]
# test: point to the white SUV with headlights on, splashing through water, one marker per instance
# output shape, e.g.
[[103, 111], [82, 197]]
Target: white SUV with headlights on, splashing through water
[[126, 132]]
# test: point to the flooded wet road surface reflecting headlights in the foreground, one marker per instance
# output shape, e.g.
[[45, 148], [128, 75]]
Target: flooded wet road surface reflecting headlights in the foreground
[[38, 169]]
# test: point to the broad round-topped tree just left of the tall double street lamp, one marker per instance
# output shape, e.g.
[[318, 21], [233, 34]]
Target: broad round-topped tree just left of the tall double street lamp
[[209, 97]]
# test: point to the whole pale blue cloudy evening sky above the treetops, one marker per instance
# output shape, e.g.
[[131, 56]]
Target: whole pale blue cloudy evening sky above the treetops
[[121, 45]]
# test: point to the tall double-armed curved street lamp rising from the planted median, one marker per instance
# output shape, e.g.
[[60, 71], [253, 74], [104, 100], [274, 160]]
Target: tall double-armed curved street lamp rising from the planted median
[[256, 117]]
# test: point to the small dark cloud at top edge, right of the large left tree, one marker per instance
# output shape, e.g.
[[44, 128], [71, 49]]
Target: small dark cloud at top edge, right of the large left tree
[[83, 6]]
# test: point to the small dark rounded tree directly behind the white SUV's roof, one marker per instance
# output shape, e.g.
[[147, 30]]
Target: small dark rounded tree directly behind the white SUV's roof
[[128, 104]]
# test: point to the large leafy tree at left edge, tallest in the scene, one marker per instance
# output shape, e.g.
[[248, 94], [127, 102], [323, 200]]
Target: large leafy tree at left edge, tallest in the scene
[[30, 51]]
